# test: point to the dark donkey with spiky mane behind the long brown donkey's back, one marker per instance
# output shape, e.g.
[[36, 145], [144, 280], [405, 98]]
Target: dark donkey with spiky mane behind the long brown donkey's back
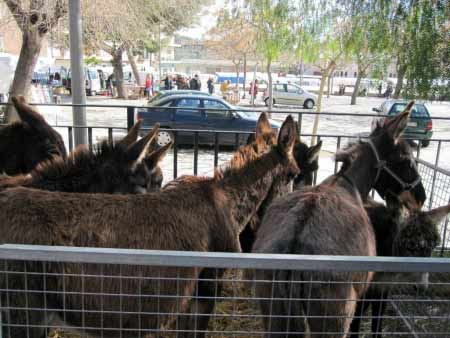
[[128, 167]]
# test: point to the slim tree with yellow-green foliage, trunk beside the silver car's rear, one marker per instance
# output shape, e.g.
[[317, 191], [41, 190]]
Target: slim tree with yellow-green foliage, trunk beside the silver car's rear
[[271, 20]]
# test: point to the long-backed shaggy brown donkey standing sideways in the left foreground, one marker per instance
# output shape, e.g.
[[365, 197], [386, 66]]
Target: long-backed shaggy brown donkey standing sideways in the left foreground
[[202, 216]]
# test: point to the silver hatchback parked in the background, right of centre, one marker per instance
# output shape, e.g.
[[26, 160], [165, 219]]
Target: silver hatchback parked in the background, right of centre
[[291, 94]]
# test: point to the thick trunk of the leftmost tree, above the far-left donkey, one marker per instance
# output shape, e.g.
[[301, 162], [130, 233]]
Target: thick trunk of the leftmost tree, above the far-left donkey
[[29, 54]]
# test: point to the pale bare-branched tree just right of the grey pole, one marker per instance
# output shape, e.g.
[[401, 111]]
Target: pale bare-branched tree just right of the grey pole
[[129, 22]]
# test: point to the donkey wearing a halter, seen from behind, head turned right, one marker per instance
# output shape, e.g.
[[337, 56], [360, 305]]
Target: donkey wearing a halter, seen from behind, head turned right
[[321, 220]]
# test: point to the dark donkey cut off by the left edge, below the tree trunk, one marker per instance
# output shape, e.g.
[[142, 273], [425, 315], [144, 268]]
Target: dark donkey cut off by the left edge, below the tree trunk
[[25, 144]]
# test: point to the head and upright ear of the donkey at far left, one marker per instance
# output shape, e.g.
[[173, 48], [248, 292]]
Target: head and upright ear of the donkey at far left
[[41, 141]]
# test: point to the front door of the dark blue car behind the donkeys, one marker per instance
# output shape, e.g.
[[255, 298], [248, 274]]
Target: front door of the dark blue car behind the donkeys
[[222, 119]]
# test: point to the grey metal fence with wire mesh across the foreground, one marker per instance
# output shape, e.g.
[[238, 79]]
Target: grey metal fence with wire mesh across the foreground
[[71, 292]]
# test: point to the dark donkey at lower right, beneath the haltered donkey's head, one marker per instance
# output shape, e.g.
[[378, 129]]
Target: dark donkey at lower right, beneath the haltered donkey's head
[[403, 232]]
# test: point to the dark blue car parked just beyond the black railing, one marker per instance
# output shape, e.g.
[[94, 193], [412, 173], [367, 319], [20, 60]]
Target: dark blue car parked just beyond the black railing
[[182, 112]]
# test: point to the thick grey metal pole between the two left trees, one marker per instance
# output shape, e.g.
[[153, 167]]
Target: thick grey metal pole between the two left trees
[[78, 85]]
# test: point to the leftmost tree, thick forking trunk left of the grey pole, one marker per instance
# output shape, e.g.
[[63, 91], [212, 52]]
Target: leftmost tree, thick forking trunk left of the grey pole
[[35, 19]]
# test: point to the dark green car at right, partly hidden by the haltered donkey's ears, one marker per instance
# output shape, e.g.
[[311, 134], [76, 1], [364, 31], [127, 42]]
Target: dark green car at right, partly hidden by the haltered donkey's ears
[[420, 125]]
